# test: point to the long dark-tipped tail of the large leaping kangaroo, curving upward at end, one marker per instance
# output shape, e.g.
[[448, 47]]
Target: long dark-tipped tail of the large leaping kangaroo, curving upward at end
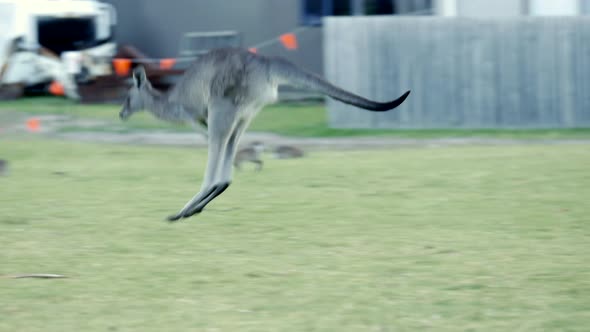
[[287, 73]]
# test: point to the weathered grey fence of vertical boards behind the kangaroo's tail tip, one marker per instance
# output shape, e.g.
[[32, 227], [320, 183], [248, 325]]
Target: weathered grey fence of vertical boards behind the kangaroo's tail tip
[[528, 72]]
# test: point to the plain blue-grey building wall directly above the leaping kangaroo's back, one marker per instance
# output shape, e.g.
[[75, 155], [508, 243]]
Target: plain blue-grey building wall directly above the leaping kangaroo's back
[[156, 26]]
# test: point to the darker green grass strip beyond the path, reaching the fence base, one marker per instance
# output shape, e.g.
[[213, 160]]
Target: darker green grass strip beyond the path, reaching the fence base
[[285, 119]]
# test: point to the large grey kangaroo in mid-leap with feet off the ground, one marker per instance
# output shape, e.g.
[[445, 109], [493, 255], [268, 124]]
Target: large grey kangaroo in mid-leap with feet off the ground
[[223, 90]]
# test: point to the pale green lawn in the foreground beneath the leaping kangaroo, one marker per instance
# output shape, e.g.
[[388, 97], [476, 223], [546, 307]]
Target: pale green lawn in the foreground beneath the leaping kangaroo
[[445, 239]]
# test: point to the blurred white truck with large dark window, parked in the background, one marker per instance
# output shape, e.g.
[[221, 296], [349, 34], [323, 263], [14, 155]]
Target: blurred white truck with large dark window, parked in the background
[[63, 41]]
